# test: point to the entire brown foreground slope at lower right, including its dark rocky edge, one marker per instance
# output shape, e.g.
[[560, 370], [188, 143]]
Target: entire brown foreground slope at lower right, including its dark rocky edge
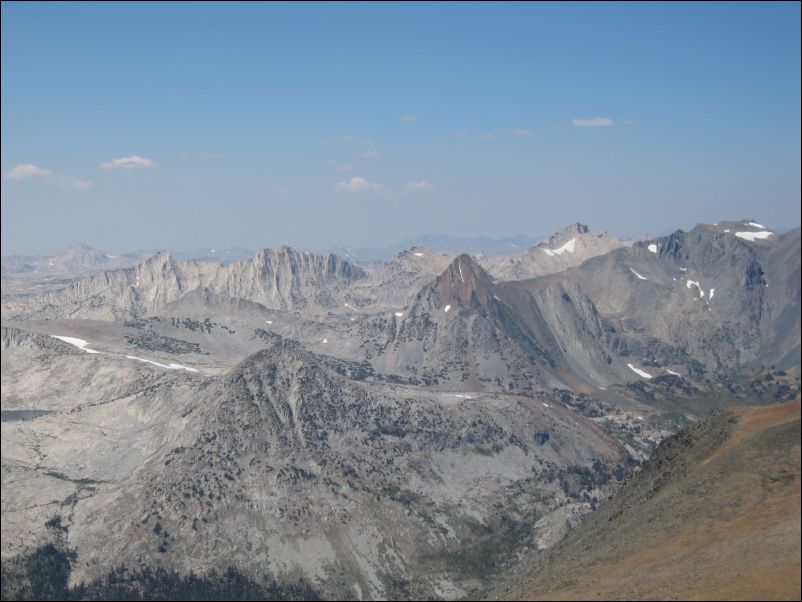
[[714, 515]]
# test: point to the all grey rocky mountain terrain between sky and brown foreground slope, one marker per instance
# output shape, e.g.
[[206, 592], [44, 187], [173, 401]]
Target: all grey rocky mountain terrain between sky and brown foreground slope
[[299, 418]]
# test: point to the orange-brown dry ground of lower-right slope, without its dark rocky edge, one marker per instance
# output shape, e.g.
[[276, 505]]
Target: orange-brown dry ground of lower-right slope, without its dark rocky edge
[[749, 552]]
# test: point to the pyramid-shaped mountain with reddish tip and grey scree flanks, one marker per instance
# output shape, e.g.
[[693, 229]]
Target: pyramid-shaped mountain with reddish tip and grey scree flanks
[[459, 332]]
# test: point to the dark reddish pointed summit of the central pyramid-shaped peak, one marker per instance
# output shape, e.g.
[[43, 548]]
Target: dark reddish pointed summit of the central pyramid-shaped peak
[[464, 285]]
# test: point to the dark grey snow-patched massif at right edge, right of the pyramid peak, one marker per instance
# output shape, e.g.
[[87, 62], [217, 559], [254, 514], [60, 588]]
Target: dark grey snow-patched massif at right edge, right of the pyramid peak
[[727, 302]]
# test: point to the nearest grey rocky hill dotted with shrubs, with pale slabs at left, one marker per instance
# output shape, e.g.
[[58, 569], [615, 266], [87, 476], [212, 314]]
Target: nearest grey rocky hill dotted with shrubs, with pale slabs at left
[[366, 489]]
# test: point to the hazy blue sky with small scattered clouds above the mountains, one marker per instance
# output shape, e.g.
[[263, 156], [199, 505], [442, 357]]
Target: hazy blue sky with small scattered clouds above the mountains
[[158, 125]]
